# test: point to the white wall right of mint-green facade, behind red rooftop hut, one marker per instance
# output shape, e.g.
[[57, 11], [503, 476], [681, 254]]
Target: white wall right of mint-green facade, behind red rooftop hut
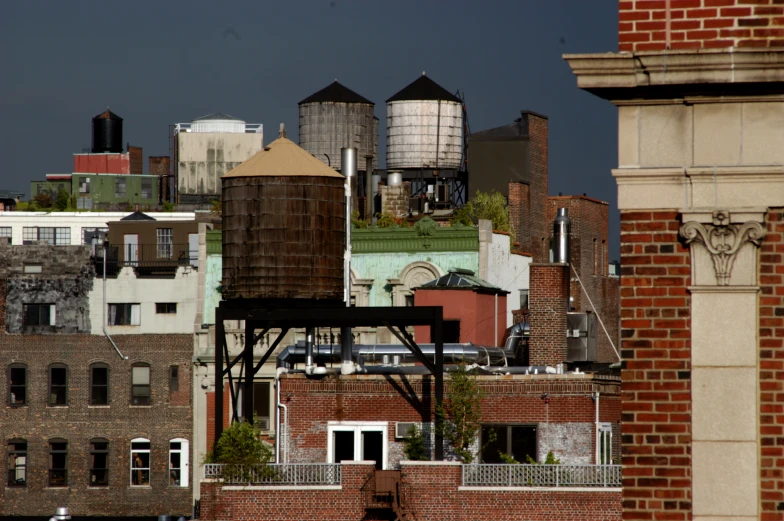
[[508, 271]]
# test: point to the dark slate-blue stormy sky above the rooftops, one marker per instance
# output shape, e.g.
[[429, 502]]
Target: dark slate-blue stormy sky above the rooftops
[[157, 63]]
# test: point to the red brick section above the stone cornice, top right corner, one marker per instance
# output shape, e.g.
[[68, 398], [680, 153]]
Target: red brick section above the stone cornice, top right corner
[[643, 25]]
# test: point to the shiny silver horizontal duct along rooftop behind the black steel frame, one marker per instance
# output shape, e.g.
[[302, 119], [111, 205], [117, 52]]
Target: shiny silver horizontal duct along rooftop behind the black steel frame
[[453, 353]]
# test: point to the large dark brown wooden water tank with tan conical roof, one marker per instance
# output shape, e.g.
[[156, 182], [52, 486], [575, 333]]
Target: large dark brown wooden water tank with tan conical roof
[[284, 227]]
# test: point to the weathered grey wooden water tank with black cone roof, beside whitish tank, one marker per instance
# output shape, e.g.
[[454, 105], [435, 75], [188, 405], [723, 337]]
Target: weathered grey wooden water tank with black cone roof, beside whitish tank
[[336, 117]]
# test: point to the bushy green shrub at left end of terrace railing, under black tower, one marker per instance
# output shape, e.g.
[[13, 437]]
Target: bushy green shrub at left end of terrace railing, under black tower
[[242, 453]]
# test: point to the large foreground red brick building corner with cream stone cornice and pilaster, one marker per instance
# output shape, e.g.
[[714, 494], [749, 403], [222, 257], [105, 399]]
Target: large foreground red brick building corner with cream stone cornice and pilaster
[[698, 85]]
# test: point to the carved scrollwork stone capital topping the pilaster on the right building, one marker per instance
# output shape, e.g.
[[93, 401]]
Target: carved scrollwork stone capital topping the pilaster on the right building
[[724, 244]]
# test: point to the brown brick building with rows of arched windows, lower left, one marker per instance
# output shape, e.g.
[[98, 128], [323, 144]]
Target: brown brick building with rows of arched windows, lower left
[[102, 424]]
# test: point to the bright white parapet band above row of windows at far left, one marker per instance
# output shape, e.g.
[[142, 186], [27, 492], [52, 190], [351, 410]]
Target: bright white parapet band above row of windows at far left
[[74, 220]]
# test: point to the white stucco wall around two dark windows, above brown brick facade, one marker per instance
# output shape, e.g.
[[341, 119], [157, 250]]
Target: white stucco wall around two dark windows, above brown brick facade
[[127, 288]]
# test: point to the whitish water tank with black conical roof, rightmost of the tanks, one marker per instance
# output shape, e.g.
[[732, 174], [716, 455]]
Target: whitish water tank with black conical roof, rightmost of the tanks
[[424, 127]]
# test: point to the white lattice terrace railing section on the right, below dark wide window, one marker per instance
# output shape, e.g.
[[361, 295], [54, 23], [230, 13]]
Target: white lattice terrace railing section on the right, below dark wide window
[[493, 475]]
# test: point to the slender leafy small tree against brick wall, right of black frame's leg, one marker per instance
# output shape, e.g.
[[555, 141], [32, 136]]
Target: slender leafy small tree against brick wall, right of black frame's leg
[[462, 413]]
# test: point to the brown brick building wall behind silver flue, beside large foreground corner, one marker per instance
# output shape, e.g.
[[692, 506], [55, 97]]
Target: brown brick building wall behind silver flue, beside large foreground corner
[[589, 254]]
